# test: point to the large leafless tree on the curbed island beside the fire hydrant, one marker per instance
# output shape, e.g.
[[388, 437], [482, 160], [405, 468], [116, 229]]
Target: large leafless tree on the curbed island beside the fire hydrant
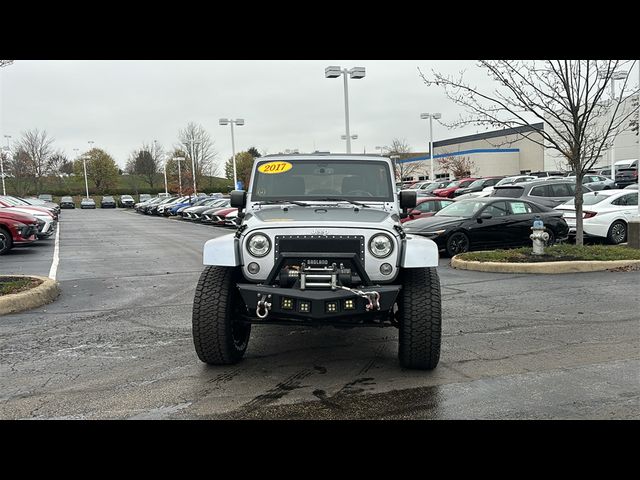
[[569, 96]]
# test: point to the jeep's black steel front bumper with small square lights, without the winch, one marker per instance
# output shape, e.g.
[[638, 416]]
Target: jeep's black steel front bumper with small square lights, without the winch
[[327, 306]]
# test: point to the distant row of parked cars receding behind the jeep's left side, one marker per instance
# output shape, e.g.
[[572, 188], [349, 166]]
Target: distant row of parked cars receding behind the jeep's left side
[[211, 209]]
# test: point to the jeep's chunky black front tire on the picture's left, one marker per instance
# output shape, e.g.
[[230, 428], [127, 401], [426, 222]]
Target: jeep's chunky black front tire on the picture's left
[[218, 335]]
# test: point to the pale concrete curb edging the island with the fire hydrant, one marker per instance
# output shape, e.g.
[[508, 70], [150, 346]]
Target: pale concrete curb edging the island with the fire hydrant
[[542, 267]]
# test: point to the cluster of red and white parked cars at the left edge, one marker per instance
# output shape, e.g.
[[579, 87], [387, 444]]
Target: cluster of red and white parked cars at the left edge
[[23, 221]]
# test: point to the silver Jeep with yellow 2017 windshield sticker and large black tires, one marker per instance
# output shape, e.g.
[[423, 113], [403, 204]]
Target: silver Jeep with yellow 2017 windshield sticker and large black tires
[[320, 243]]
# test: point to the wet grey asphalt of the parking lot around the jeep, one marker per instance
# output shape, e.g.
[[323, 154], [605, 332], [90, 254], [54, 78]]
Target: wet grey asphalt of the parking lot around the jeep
[[117, 343]]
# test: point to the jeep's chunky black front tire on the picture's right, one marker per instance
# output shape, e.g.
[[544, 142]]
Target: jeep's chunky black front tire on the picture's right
[[419, 318]]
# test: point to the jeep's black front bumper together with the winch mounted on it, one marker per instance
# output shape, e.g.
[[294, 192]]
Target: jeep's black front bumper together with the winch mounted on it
[[318, 293]]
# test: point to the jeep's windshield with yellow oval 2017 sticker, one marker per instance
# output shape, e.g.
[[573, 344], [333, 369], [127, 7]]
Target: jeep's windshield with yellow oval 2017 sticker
[[310, 180]]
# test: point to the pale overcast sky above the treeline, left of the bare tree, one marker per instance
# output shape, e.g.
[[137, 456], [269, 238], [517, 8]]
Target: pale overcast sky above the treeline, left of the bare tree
[[285, 104]]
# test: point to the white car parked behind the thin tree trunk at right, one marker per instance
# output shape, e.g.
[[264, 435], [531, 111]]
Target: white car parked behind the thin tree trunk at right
[[605, 214]]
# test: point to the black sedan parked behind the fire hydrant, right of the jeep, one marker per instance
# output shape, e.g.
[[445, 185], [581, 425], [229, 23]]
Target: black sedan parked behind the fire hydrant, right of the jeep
[[487, 223]]
